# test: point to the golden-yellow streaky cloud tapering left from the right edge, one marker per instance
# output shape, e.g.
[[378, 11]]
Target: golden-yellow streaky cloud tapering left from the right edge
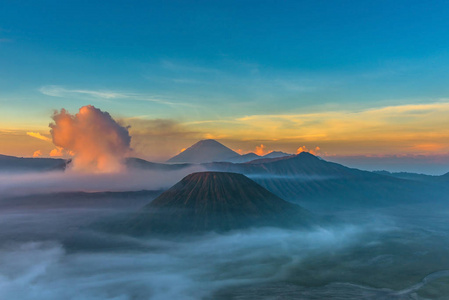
[[389, 121]]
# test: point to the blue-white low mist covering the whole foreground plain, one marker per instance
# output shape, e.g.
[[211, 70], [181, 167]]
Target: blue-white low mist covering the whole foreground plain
[[54, 254]]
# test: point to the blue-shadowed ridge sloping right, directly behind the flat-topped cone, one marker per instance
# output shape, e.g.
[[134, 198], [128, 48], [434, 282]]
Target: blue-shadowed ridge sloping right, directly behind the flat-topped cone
[[312, 181]]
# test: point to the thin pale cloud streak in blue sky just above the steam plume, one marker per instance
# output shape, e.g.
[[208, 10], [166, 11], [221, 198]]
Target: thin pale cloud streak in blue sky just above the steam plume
[[59, 91]]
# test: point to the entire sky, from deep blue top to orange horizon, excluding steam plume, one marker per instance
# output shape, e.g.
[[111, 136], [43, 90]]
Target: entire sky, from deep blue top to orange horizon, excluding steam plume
[[354, 78]]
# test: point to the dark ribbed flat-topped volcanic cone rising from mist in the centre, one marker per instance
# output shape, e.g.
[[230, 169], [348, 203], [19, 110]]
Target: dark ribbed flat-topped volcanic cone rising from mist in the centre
[[216, 201]]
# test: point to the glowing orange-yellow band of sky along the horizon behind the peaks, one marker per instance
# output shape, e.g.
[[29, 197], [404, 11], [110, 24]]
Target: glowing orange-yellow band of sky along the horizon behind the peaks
[[418, 129]]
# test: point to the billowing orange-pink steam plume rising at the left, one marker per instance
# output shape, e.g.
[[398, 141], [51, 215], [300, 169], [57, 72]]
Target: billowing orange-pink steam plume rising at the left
[[97, 141]]
